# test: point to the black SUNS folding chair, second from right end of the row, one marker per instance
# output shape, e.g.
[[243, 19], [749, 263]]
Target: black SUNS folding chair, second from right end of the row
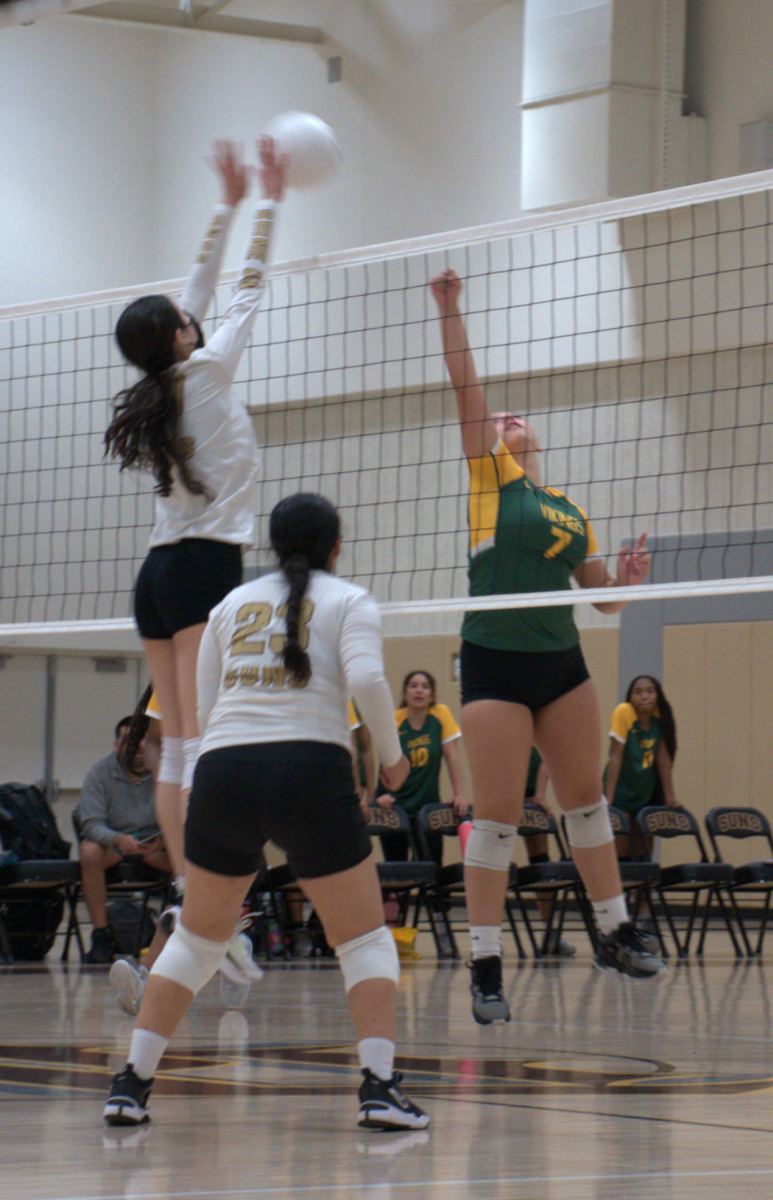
[[688, 879]]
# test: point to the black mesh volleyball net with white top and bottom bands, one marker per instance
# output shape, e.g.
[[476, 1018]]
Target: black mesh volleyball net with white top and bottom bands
[[636, 335]]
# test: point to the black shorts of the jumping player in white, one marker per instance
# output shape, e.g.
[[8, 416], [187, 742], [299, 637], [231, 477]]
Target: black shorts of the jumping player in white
[[178, 586]]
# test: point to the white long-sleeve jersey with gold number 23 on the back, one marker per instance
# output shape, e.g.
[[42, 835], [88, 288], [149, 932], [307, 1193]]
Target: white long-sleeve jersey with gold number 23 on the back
[[244, 694]]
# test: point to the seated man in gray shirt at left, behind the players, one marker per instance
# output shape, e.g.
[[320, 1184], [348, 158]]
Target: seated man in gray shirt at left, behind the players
[[118, 820]]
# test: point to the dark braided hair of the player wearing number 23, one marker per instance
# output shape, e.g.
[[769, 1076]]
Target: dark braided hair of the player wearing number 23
[[304, 530]]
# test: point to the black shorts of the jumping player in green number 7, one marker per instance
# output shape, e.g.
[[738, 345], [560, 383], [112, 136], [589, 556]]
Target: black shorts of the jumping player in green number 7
[[535, 679]]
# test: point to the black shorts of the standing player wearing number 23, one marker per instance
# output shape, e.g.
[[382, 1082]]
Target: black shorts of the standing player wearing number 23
[[298, 795]]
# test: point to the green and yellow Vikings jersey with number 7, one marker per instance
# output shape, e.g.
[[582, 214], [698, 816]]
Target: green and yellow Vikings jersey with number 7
[[522, 539]]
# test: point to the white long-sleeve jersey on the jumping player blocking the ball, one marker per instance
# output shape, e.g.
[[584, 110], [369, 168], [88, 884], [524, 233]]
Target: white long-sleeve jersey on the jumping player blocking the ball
[[215, 424]]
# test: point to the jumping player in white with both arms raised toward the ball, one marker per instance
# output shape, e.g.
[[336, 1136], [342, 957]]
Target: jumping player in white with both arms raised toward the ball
[[183, 423]]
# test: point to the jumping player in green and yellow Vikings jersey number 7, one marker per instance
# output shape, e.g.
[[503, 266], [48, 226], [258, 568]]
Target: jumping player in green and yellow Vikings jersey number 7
[[524, 677]]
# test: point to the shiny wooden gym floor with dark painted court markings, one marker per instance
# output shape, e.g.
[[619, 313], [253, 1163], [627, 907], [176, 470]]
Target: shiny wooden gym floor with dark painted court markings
[[601, 1089]]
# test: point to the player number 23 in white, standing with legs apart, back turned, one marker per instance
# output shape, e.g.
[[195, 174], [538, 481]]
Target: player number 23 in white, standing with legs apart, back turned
[[279, 662]]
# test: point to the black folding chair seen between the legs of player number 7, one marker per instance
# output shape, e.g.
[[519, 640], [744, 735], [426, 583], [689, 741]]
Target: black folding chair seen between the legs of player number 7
[[559, 880]]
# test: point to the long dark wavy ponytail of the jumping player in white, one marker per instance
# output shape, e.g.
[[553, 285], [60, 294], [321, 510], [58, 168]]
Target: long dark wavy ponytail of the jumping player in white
[[143, 433]]
